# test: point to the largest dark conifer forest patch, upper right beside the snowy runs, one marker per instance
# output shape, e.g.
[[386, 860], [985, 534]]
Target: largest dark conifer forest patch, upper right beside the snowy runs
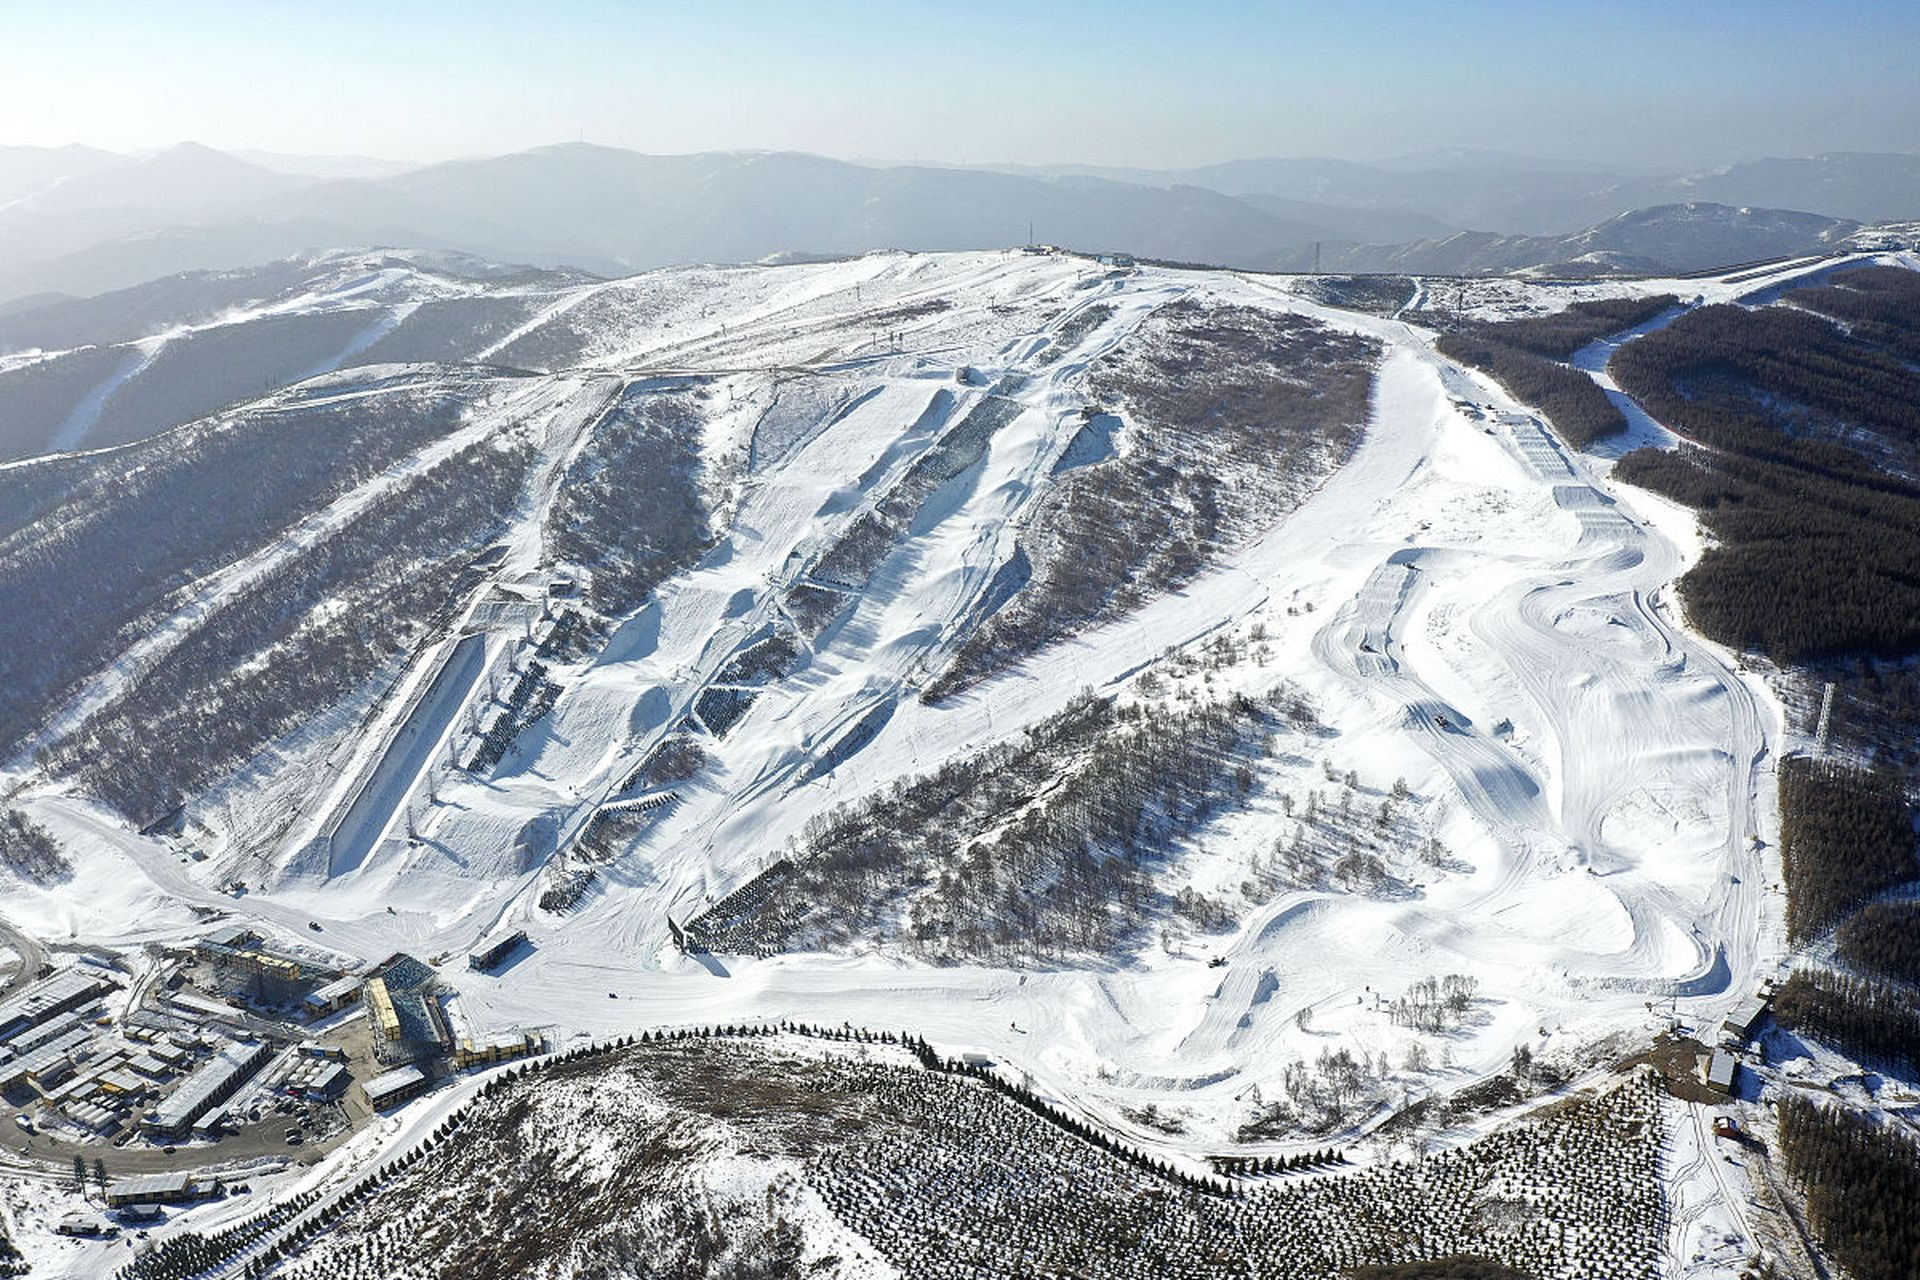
[[1810, 414]]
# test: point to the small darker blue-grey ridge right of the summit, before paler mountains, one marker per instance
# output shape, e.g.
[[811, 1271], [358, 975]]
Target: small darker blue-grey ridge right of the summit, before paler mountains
[[1668, 239]]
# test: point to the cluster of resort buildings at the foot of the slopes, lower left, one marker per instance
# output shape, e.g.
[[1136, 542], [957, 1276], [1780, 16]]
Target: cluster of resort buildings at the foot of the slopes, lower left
[[224, 1041]]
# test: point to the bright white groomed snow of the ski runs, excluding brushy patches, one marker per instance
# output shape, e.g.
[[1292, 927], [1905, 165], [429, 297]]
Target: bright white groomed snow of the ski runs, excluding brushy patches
[[1474, 609]]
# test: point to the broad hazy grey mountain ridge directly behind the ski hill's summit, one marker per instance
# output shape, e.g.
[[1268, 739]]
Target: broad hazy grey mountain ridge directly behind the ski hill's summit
[[602, 208]]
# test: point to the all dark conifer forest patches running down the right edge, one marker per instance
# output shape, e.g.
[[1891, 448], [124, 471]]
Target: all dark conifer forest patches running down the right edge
[[1800, 452]]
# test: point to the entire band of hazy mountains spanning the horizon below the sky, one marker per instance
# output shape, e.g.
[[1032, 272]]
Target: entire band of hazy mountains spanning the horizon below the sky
[[103, 222]]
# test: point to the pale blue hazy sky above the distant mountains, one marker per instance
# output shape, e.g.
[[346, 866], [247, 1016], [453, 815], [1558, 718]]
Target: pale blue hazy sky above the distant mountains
[[1072, 82]]
